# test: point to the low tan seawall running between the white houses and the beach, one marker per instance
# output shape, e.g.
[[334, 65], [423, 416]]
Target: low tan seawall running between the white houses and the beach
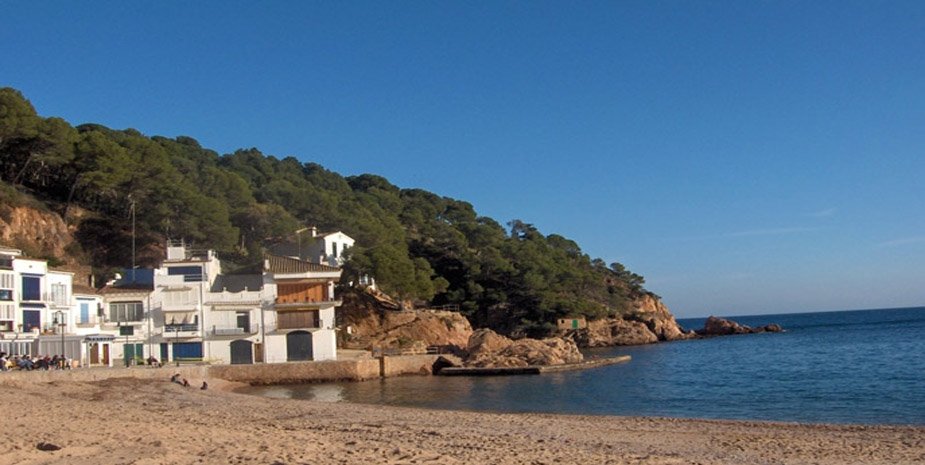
[[258, 374]]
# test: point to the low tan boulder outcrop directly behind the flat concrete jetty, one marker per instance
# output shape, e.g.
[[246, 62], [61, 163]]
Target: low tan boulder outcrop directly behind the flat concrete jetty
[[489, 349]]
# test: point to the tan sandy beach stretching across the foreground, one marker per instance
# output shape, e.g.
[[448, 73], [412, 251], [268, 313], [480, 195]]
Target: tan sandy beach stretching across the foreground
[[131, 421]]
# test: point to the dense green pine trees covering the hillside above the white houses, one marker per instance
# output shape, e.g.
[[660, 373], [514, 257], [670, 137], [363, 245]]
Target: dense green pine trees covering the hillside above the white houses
[[418, 245]]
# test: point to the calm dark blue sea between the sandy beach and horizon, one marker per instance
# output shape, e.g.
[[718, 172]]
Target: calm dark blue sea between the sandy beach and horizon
[[836, 367]]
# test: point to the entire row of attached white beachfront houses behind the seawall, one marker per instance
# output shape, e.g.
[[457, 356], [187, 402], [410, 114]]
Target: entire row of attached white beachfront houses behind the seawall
[[184, 310]]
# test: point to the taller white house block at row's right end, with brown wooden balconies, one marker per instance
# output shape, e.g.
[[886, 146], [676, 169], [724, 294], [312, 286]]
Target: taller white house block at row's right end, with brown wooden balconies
[[284, 314]]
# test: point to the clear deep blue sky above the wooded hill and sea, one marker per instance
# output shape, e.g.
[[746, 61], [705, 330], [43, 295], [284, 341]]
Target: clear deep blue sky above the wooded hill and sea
[[745, 157]]
